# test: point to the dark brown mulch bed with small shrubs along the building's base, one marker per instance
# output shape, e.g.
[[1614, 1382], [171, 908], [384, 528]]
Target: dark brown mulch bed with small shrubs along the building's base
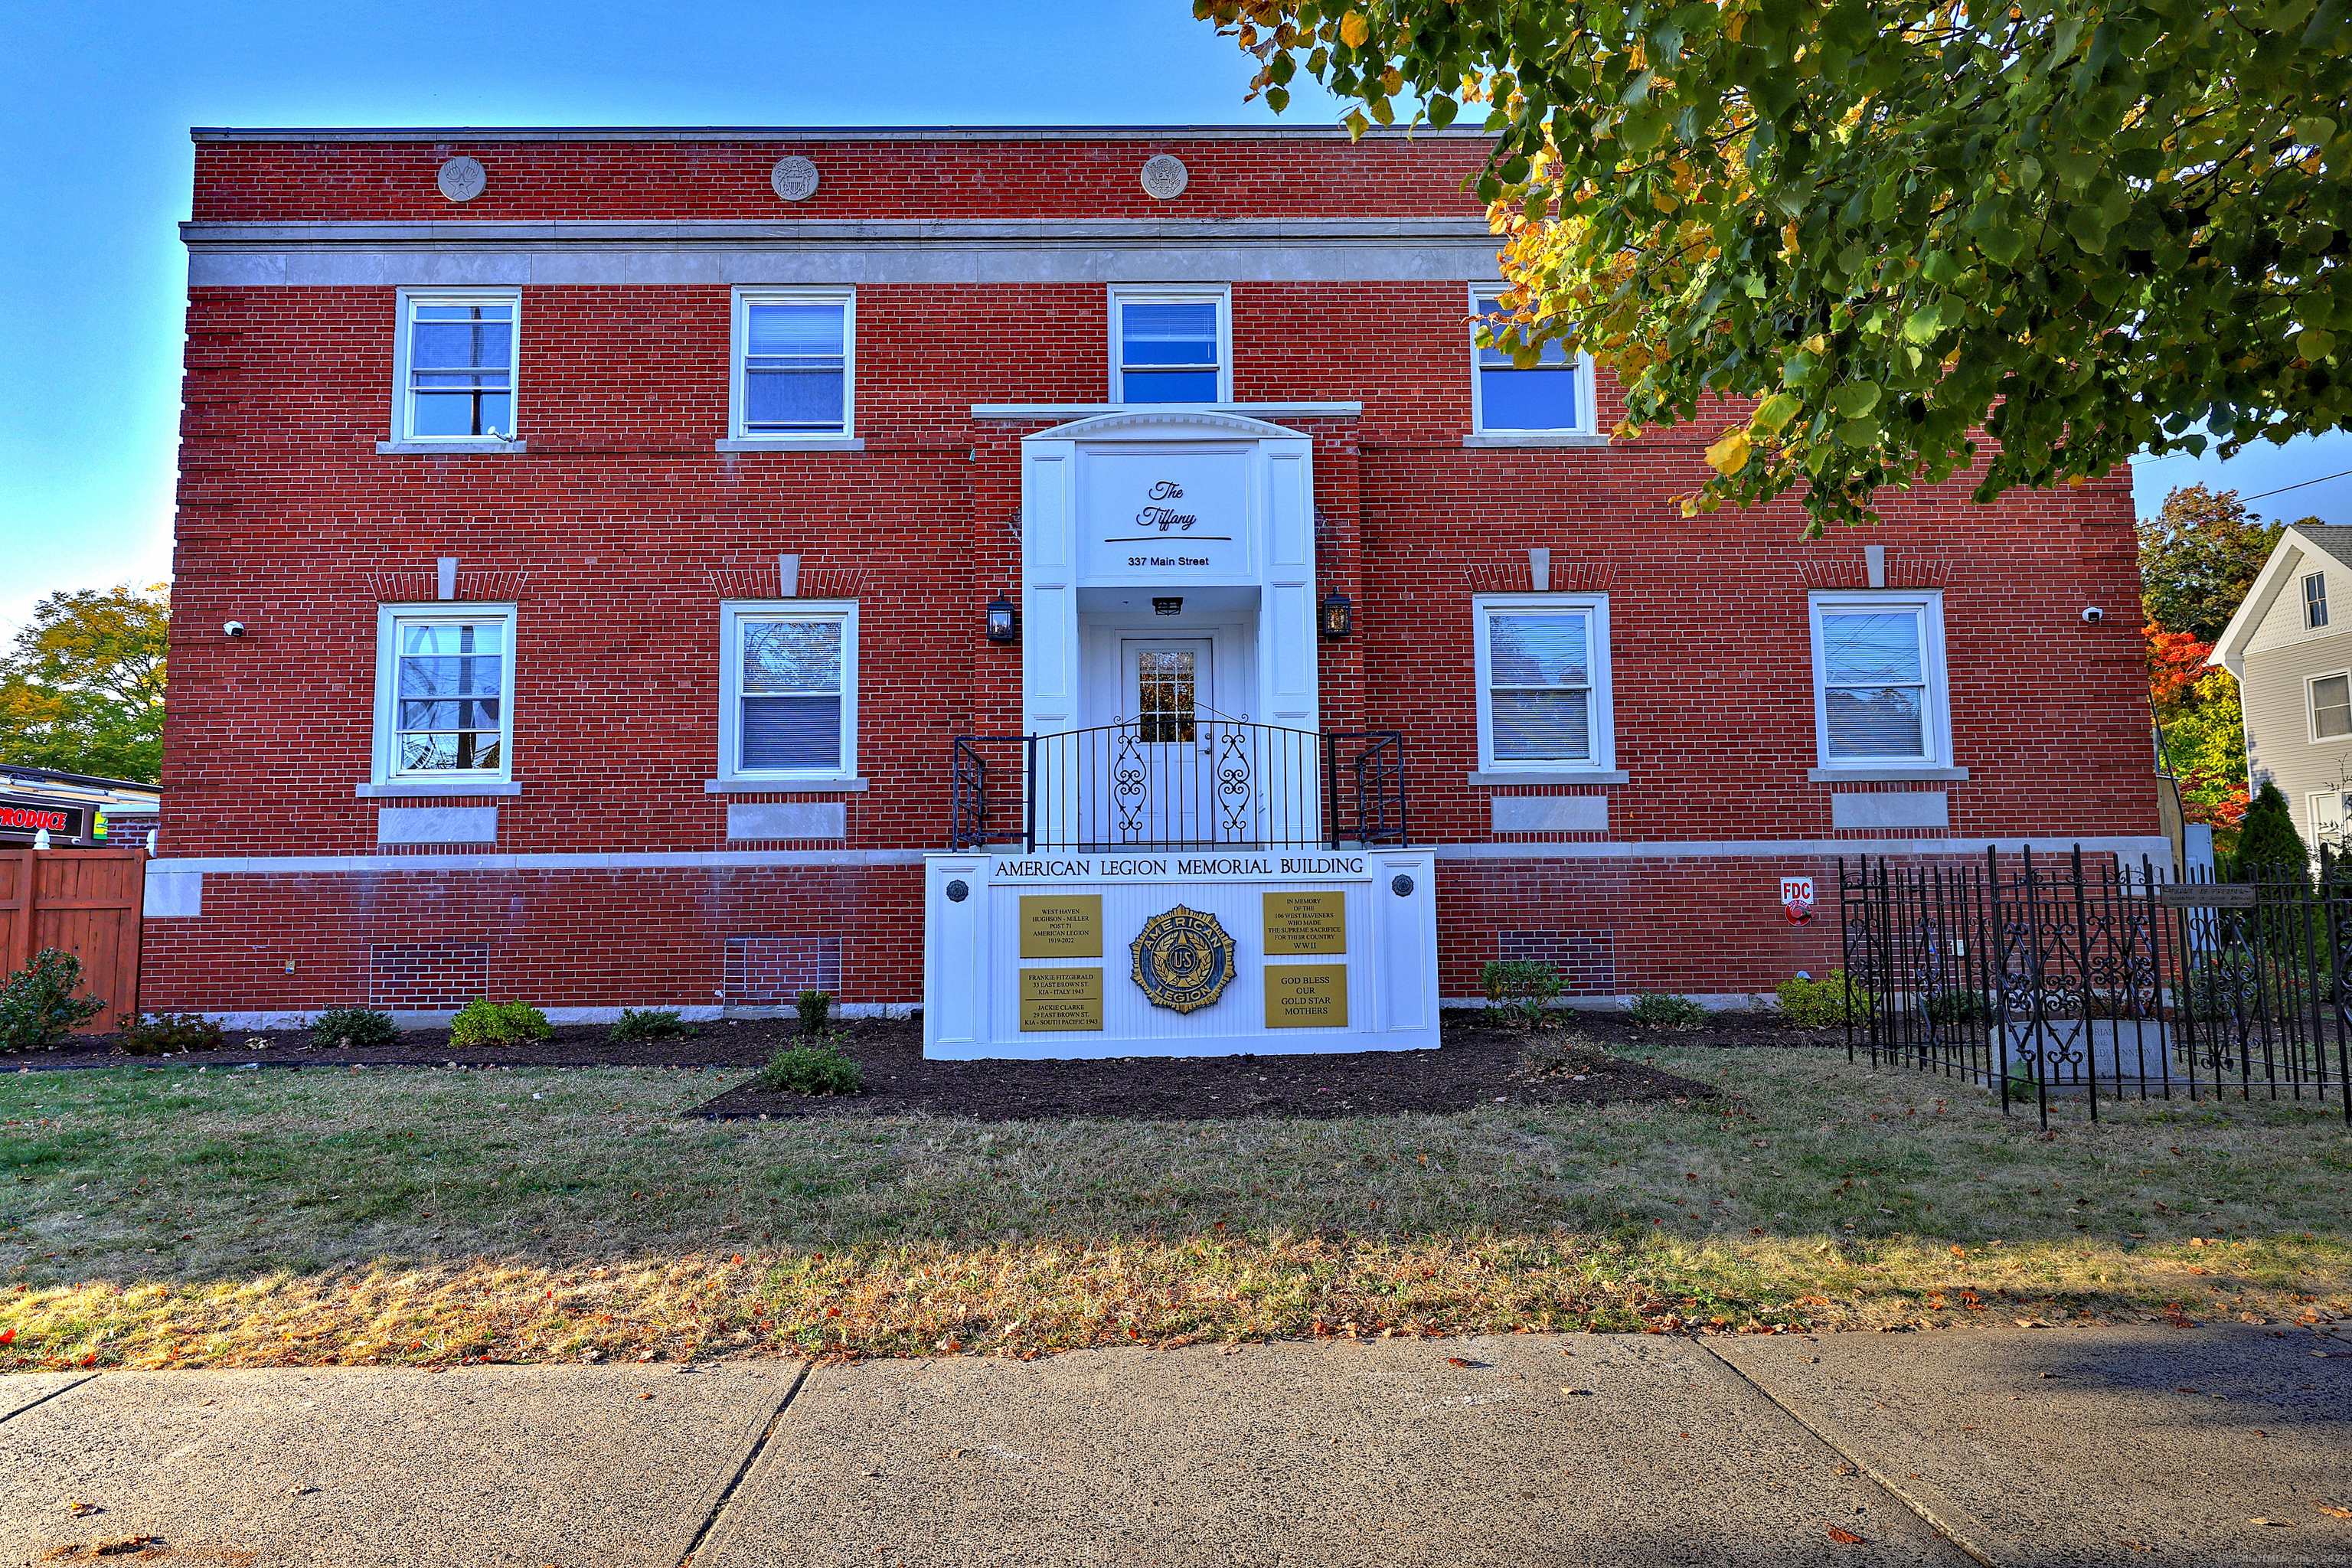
[[1476, 1066]]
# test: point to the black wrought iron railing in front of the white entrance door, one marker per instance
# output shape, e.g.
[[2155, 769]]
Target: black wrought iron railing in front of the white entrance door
[[1180, 784]]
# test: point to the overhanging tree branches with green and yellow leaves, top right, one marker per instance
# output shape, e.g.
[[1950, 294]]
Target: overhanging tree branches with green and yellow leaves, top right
[[1885, 227]]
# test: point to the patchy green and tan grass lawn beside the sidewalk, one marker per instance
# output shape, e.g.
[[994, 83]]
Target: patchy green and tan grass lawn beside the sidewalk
[[168, 1217]]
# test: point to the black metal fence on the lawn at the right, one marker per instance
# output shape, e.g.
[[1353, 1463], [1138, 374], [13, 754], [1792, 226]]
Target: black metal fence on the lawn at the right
[[2076, 977]]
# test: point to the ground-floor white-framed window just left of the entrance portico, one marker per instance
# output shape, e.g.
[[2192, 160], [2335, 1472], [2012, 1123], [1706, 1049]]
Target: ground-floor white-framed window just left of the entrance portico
[[789, 690]]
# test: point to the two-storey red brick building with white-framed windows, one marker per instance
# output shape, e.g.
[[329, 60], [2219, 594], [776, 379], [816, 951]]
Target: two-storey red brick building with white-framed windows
[[610, 525]]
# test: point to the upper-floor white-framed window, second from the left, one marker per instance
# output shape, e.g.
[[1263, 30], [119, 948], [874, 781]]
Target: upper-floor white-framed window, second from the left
[[796, 366]]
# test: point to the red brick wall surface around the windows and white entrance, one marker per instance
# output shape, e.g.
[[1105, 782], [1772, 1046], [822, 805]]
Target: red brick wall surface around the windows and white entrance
[[620, 530]]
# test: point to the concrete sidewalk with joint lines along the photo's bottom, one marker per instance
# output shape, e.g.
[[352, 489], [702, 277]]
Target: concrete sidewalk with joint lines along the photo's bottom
[[2007, 1447]]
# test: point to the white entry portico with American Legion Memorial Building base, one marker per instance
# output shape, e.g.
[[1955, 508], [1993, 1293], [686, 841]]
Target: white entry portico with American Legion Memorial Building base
[[1182, 878]]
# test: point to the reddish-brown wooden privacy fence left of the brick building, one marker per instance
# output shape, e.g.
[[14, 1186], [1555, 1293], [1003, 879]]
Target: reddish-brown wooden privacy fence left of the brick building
[[83, 902]]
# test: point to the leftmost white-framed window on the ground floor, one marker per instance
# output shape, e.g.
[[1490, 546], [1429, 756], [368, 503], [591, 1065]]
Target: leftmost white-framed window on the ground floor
[[446, 681]]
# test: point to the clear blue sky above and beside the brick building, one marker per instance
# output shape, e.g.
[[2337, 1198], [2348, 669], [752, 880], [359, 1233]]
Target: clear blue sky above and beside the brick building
[[98, 102]]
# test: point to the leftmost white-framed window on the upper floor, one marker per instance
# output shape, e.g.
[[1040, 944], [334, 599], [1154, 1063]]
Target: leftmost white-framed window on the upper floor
[[455, 366]]
